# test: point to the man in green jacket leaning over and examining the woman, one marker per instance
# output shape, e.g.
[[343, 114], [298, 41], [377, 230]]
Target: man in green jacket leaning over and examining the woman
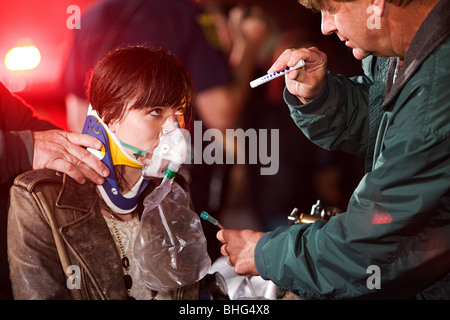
[[393, 241]]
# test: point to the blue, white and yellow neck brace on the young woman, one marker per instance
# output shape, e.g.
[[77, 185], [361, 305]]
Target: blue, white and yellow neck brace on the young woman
[[111, 154]]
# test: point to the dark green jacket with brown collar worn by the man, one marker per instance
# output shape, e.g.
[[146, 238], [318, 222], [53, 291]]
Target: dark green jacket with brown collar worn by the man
[[397, 224]]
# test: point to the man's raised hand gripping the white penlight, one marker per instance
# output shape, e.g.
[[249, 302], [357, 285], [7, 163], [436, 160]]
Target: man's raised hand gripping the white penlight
[[306, 83]]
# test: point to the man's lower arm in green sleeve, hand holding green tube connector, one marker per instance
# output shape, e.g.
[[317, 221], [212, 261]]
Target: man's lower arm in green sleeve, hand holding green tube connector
[[396, 221]]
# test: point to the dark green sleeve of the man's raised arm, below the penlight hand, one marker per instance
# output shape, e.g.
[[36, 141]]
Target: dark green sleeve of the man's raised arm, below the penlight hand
[[338, 119]]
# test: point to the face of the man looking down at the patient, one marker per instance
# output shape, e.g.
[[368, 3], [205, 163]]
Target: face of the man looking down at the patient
[[349, 20]]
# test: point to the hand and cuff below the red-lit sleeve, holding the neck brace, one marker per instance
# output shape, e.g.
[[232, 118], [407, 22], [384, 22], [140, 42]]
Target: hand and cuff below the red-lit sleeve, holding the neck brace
[[52, 149]]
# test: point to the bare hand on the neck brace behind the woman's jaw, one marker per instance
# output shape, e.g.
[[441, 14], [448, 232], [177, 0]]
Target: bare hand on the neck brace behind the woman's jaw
[[66, 152]]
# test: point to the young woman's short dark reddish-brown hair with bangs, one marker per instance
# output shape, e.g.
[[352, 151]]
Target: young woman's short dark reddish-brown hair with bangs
[[142, 76]]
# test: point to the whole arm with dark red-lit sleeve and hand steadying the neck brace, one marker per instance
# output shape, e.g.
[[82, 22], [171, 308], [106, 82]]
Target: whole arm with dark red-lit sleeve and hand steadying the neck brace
[[28, 142]]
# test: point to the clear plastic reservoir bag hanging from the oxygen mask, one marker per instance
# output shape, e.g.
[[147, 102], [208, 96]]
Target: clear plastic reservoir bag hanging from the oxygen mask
[[170, 246]]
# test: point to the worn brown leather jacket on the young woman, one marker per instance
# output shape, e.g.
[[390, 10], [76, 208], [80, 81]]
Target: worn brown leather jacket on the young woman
[[55, 223]]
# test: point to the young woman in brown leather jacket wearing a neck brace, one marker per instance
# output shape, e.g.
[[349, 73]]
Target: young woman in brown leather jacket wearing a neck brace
[[71, 241]]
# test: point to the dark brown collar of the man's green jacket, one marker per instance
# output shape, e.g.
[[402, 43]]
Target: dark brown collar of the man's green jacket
[[432, 32]]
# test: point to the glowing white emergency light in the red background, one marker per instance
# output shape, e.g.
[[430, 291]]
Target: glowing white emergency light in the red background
[[22, 58]]
